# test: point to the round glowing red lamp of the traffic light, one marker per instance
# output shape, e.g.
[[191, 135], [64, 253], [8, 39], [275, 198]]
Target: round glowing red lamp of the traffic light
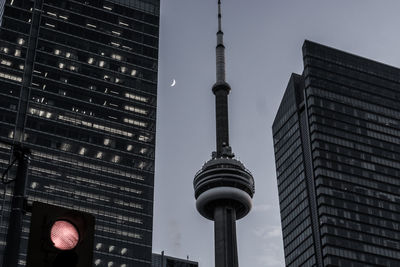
[[64, 235]]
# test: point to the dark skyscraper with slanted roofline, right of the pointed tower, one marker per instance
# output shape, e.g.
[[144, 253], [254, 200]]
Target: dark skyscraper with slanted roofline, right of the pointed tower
[[337, 150]]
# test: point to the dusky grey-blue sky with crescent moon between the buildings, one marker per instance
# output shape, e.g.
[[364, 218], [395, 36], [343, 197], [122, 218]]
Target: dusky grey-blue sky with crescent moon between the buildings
[[263, 40]]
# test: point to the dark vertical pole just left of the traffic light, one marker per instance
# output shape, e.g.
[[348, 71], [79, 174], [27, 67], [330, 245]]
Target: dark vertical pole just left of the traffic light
[[11, 252]]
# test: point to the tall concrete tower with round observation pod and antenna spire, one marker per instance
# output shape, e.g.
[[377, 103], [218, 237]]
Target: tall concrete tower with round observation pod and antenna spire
[[223, 187]]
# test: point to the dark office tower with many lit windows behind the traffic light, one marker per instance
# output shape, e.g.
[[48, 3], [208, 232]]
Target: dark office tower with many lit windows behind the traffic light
[[78, 85]]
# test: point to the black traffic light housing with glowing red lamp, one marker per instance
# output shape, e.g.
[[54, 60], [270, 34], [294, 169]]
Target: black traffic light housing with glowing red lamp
[[60, 237]]
